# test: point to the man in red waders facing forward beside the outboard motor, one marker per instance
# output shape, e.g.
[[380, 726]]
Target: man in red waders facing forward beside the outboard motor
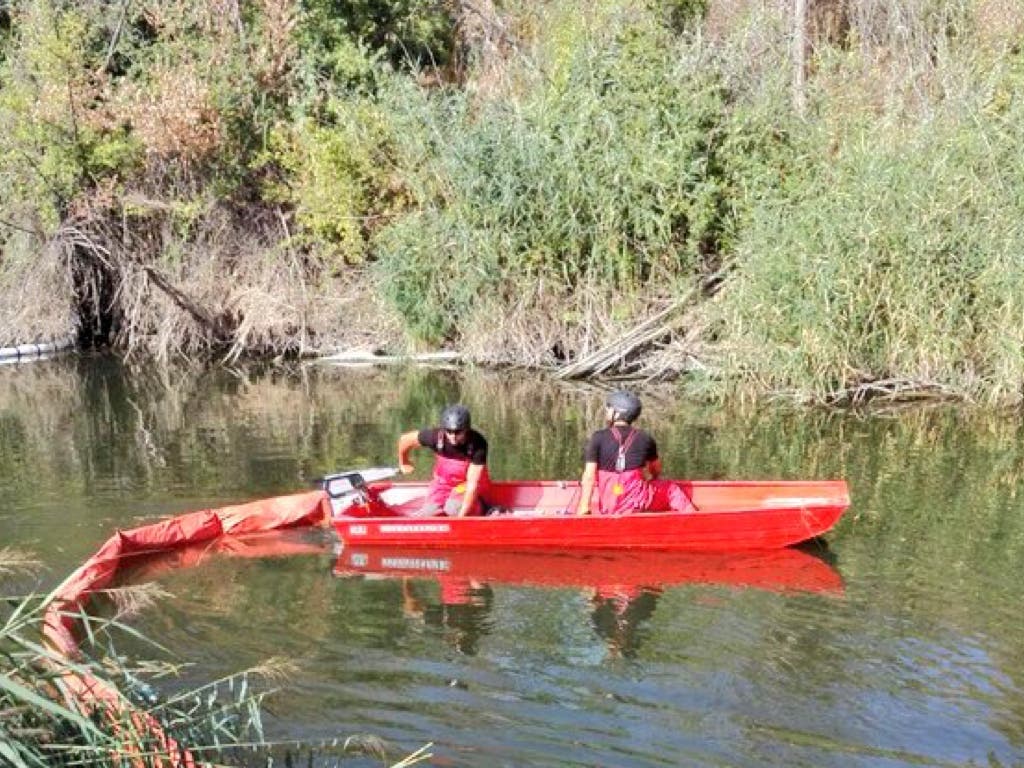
[[460, 464]]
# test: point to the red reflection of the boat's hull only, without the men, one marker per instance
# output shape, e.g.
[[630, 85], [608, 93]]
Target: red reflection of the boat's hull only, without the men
[[618, 571]]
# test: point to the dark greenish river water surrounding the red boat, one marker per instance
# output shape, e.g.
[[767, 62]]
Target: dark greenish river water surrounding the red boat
[[903, 646]]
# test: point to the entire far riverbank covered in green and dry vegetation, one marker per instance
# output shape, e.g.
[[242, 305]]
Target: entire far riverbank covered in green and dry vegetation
[[820, 199]]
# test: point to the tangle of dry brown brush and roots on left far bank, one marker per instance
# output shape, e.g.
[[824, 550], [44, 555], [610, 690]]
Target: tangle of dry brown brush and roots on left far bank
[[227, 283]]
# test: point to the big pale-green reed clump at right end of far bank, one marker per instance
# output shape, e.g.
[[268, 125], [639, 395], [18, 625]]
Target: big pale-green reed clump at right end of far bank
[[893, 253]]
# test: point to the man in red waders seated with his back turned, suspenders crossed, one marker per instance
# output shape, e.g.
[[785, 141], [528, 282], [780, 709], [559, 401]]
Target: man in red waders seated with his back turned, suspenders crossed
[[623, 462]]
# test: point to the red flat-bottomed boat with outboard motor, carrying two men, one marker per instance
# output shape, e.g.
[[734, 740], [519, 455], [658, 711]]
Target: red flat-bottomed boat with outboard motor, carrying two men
[[731, 516]]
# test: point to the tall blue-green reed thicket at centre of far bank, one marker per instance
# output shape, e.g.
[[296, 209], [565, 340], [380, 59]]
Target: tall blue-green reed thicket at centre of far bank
[[598, 167]]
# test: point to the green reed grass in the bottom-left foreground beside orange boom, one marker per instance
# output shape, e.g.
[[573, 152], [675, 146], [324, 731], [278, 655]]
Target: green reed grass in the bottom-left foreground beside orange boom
[[41, 726]]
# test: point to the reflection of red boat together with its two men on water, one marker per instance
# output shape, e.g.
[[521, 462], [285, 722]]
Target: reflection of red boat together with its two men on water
[[623, 586]]
